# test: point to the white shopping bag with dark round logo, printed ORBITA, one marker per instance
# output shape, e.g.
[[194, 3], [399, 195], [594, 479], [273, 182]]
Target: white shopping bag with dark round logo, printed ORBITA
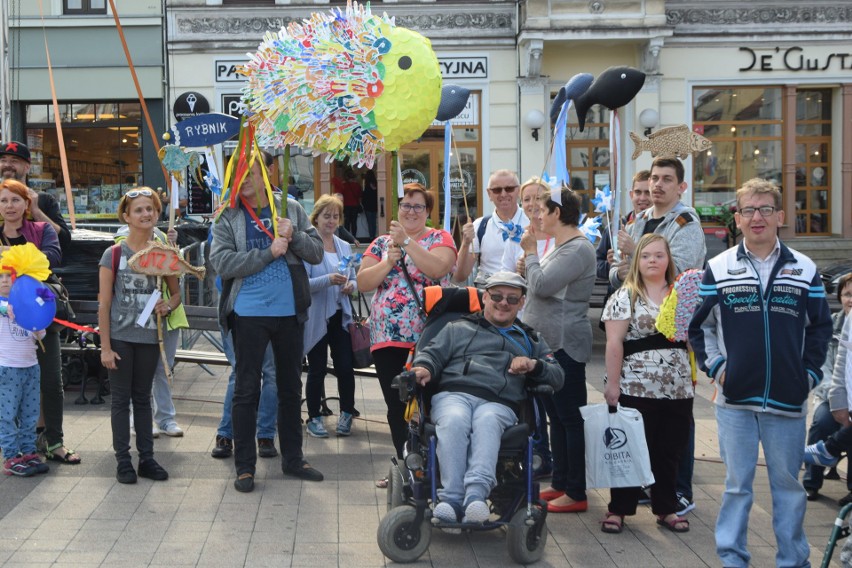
[[616, 451]]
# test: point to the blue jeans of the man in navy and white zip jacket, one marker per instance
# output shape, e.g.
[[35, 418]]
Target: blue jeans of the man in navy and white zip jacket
[[783, 440]]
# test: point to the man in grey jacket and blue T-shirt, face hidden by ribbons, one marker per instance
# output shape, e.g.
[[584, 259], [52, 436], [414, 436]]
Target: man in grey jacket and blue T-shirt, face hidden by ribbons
[[264, 300]]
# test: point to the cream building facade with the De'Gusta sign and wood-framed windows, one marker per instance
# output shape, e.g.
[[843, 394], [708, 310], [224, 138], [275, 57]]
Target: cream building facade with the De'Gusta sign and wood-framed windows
[[767, 83]]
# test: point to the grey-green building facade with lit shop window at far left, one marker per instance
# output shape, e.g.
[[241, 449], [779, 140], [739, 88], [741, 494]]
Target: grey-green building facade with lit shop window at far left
[[108, 144]]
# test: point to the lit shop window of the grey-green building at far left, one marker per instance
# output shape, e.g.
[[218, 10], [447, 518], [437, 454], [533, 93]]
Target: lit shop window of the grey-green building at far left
[[103, 149]]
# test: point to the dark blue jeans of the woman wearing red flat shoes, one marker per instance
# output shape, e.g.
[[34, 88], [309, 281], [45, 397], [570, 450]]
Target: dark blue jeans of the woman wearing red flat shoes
[[567, 442]]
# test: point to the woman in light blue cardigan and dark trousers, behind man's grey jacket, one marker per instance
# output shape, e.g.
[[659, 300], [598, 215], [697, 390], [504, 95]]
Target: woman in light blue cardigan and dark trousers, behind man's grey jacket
[[332, 281]]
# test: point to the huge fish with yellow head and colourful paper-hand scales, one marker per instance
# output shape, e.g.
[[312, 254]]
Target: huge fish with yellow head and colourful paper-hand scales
[[347, 83]]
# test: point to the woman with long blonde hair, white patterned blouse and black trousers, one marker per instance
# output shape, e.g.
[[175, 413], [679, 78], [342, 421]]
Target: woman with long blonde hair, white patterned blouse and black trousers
[[653, 376]]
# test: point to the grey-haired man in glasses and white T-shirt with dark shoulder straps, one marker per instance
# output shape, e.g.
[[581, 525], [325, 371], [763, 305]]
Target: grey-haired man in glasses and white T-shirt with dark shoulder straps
[[484, 239]]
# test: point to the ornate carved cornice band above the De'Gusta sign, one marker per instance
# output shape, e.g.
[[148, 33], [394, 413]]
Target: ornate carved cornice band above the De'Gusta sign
[[768, 15]]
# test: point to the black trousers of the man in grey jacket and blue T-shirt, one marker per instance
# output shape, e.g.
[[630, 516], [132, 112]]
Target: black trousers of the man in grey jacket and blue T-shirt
[[251, 336]]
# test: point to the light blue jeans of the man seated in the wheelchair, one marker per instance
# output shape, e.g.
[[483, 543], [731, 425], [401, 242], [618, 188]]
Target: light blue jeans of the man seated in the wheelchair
[[469, 431]]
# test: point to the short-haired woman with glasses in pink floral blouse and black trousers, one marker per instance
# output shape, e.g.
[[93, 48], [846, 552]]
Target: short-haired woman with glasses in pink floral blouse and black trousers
[[396, 321]]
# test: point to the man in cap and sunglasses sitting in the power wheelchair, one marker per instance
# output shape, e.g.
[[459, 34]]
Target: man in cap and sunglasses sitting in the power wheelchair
[[481, 364]]
